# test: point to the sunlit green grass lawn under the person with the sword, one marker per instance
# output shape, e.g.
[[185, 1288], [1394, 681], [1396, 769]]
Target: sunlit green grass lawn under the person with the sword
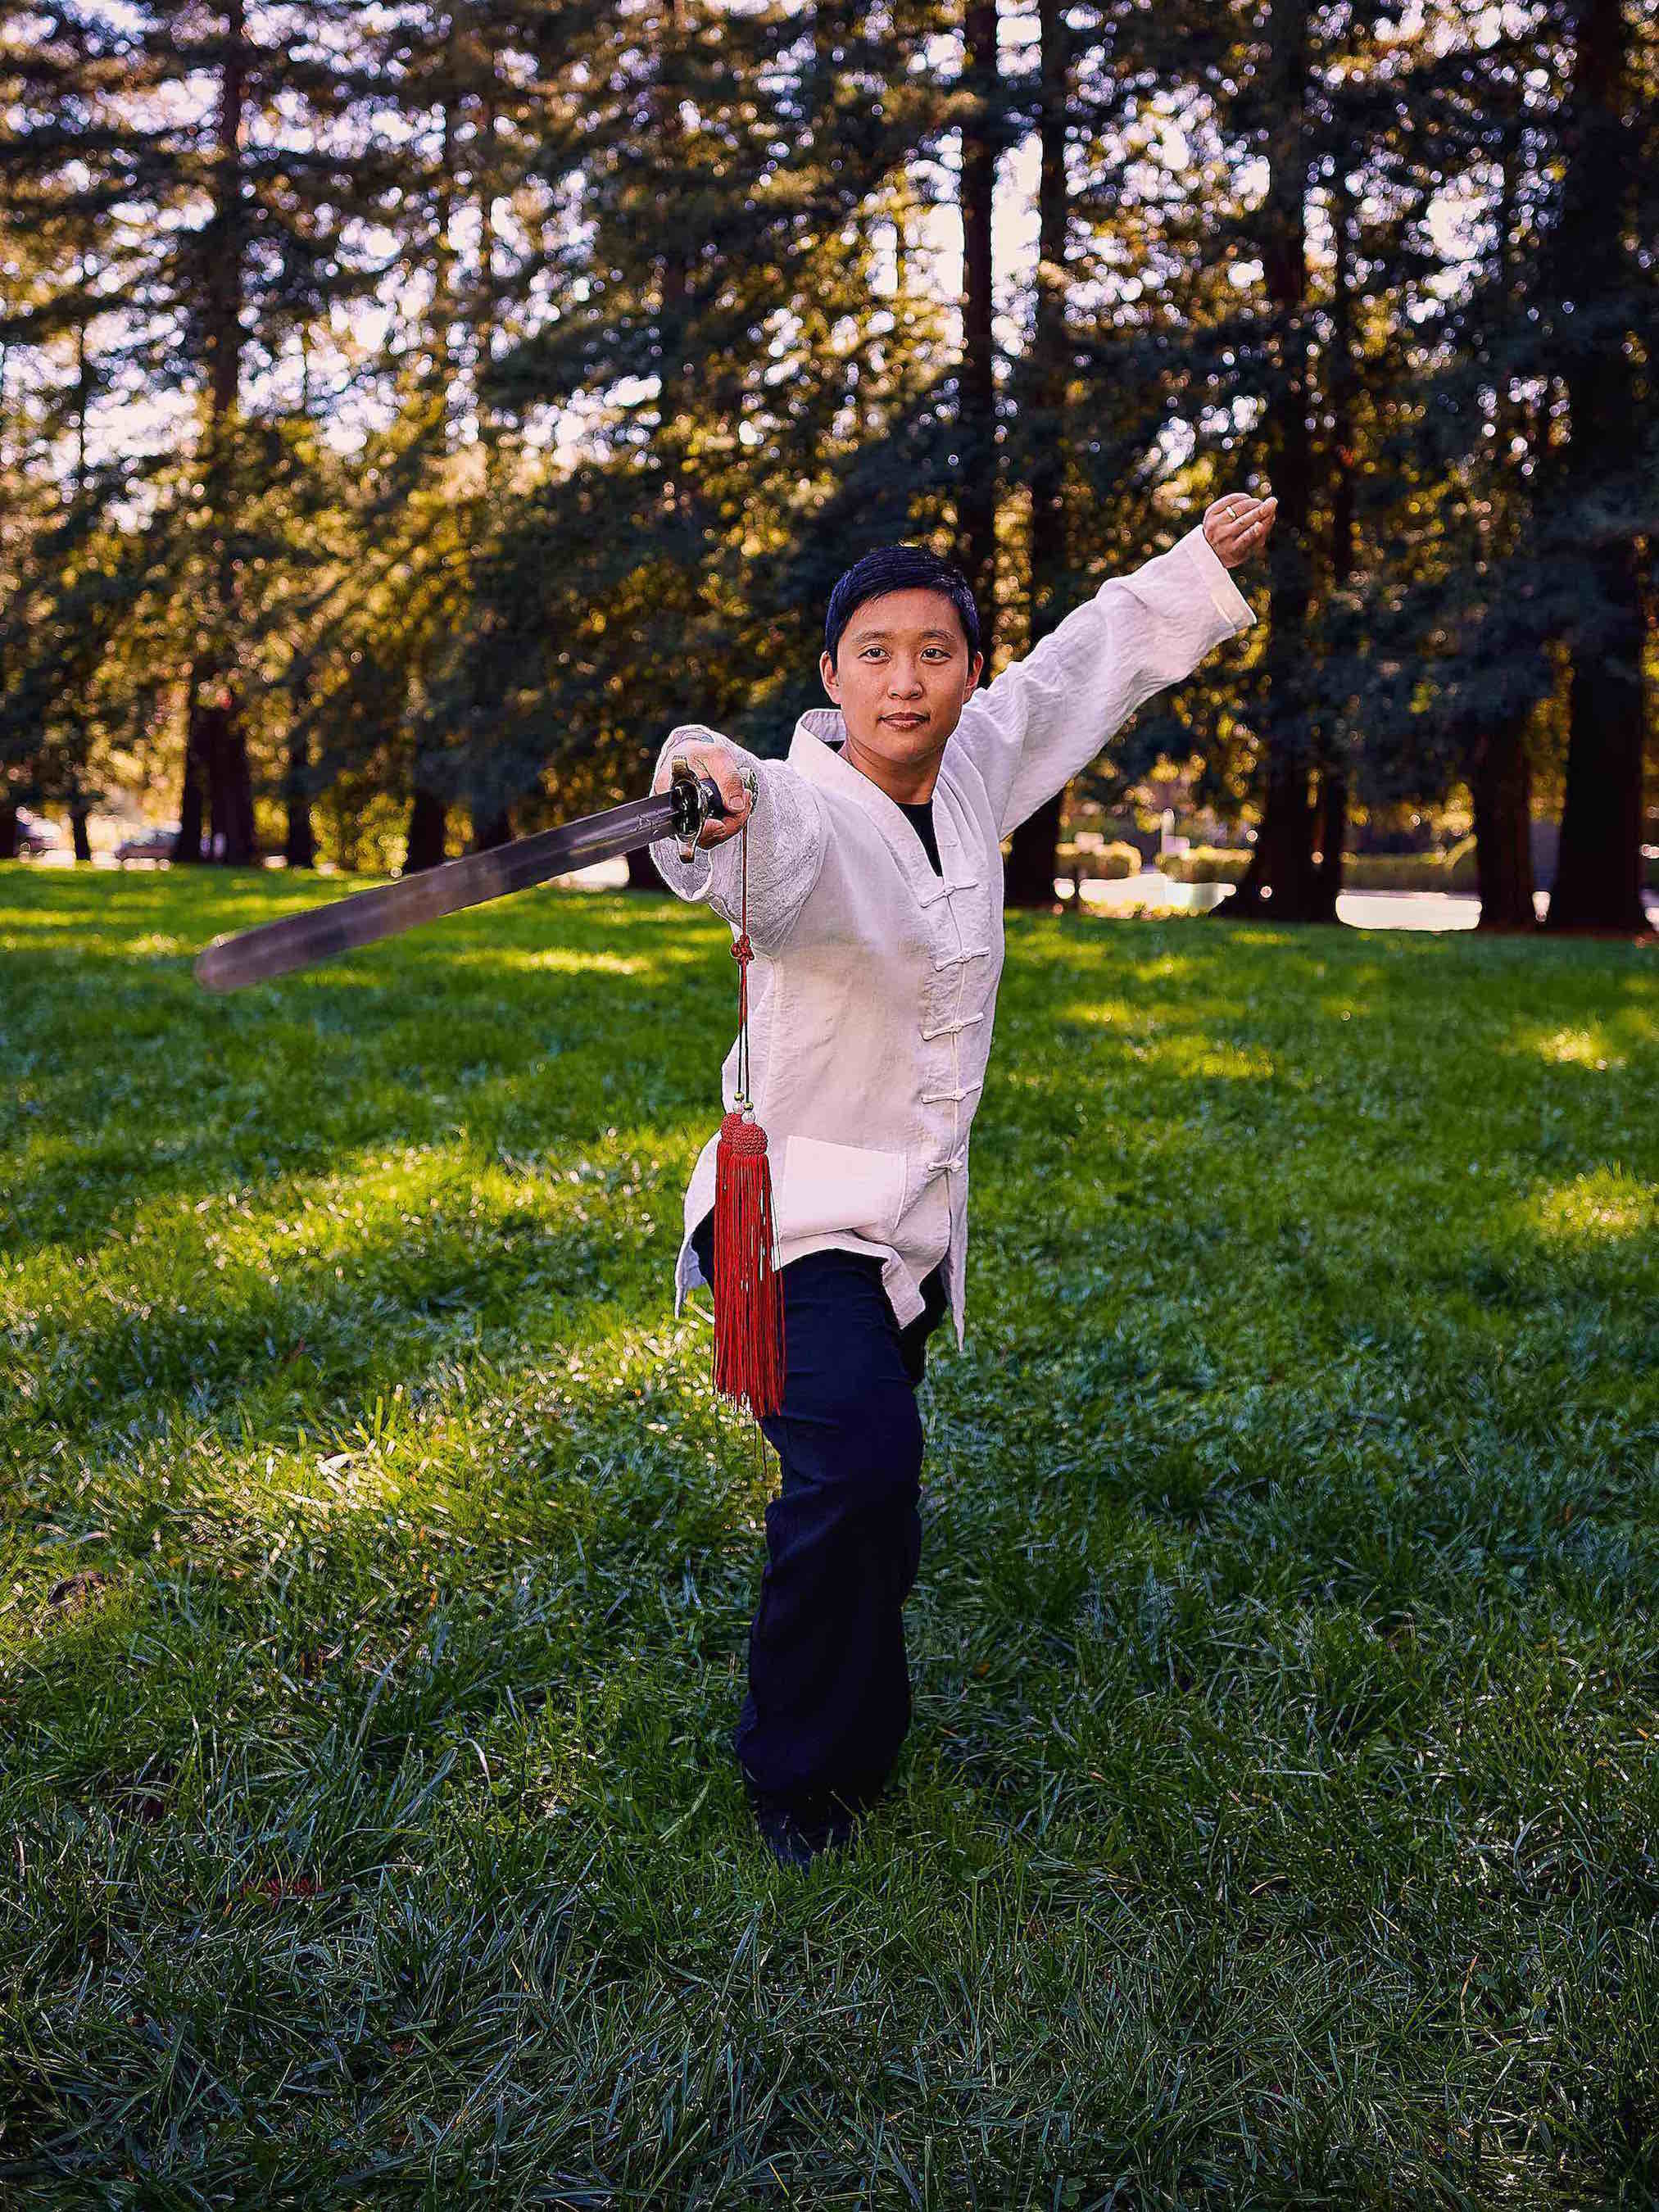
[[1280, 1822]]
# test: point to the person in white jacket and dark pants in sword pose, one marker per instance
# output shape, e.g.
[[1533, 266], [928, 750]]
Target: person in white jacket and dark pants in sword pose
[[875, 910]]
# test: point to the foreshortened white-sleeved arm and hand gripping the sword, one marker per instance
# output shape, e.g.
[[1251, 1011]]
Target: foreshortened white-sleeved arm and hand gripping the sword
[[786, 837]]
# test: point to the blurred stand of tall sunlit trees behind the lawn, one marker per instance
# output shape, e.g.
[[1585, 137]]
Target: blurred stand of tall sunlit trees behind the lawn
[[410, 413]]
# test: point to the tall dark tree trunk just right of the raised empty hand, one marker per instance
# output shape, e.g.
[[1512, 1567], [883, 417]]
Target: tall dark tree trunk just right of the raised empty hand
[[1282, 881]]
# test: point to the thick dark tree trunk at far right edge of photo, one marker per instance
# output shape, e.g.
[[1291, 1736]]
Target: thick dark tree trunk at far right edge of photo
[[1598, 875]]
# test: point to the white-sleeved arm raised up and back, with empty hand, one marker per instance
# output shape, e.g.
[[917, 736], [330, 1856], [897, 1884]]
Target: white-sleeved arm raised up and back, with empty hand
[[1045, 718]]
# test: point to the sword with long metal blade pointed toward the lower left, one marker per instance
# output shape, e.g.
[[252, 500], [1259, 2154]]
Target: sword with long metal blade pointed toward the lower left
[[390, 908]]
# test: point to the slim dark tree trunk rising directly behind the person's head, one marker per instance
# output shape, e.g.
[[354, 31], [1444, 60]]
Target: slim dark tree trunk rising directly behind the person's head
[[977, 503]]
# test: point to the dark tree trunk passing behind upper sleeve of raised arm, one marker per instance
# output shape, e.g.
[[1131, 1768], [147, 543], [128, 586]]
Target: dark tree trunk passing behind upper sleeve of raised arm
[[1030, 873]]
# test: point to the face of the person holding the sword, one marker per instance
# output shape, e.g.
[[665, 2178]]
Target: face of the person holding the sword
[[901, 678]]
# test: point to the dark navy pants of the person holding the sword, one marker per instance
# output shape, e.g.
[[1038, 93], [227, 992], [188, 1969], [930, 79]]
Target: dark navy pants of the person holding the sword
[[828, 1700]]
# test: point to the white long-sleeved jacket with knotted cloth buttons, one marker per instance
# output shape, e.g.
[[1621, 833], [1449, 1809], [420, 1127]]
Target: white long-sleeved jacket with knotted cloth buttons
[[875, 981]]
